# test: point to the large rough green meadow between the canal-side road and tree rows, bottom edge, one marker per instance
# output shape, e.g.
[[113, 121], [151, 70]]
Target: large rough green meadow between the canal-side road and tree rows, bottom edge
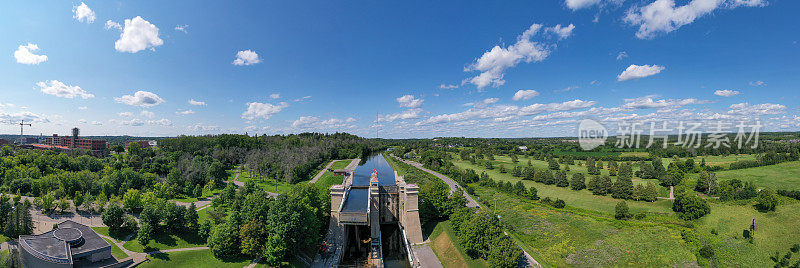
[[559, 237]]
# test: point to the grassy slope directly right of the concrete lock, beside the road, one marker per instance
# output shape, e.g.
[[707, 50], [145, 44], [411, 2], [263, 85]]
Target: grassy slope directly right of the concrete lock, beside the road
[[442, 241]]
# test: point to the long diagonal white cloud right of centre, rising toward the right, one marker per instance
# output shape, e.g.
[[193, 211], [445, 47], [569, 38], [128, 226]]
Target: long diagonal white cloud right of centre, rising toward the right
[[493, 63]]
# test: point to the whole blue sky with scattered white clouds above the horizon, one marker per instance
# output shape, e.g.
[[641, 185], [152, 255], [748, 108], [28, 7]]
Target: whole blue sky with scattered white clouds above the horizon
[[423, 69]]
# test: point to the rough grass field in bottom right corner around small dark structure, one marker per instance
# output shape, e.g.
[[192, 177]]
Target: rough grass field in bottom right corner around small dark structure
[[777, 231]]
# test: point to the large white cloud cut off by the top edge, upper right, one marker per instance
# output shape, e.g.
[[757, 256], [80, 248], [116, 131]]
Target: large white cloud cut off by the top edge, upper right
[[664, 16]]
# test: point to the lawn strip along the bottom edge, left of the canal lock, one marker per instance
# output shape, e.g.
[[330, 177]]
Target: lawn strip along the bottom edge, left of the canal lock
[[192, 259]]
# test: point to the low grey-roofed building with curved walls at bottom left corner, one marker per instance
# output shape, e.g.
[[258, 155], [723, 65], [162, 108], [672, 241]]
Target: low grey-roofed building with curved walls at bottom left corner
[[70, 245]]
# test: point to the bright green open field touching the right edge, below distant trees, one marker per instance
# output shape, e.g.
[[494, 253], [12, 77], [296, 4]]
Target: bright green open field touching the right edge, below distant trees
[[784, 176]]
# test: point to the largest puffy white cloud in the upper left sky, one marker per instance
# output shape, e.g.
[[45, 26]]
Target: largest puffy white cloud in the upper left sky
[[138, 35]]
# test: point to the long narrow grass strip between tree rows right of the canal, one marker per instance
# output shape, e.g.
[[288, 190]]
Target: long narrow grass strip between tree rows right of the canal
[[580, 199]]
